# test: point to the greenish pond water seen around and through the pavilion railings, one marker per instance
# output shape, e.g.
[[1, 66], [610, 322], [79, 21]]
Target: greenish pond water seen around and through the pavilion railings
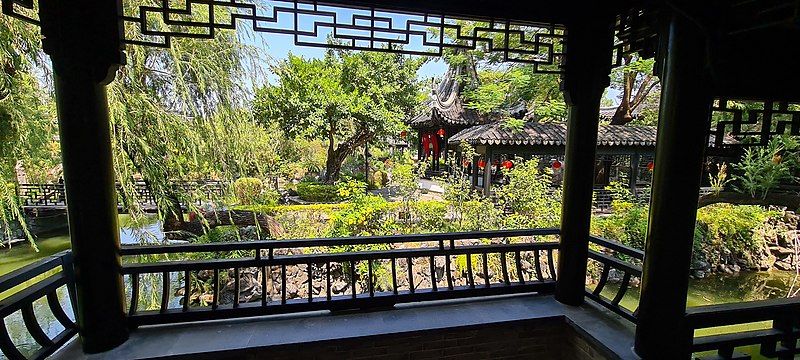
[[715, 289]]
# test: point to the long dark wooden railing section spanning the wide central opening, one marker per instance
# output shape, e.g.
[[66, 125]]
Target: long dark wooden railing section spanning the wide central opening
[[418, 268]]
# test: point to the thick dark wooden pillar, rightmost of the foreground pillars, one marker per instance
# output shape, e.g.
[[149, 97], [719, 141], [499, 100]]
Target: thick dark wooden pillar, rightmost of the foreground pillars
[[682, 129]]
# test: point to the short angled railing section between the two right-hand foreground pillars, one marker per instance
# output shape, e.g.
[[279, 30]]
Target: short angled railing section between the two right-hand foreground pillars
[[620, 260]]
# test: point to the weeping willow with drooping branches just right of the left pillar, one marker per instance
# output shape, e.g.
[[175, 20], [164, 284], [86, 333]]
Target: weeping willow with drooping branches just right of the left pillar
[[182, 114]]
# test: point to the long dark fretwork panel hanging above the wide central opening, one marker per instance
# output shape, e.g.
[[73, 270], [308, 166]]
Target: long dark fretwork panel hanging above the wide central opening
[[315, 25]]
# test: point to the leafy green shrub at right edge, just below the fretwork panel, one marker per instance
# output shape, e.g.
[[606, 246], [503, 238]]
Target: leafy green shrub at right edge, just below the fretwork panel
[[764, 168]]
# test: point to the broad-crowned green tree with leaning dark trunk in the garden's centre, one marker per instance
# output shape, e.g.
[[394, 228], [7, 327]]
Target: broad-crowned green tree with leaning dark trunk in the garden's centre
[[347, 99]]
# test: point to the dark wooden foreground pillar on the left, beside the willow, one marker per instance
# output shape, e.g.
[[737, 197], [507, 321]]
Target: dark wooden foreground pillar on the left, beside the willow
[[82, 38]]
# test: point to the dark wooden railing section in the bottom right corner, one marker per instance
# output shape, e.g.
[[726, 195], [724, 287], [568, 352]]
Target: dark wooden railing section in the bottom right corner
[[778, 341]]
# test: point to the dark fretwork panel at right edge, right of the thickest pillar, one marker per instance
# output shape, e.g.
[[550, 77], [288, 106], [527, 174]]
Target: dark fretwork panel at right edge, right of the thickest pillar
[[748, 123]]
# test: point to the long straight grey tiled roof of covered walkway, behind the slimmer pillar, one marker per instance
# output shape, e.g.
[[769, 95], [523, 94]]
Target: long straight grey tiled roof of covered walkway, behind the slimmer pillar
[[554, 134]]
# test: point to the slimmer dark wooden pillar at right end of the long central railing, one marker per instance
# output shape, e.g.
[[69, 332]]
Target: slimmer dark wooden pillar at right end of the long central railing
[[588, 65]]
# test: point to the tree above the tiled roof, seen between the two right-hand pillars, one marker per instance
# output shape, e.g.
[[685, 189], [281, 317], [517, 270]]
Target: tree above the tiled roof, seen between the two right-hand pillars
[[637, 86]]
